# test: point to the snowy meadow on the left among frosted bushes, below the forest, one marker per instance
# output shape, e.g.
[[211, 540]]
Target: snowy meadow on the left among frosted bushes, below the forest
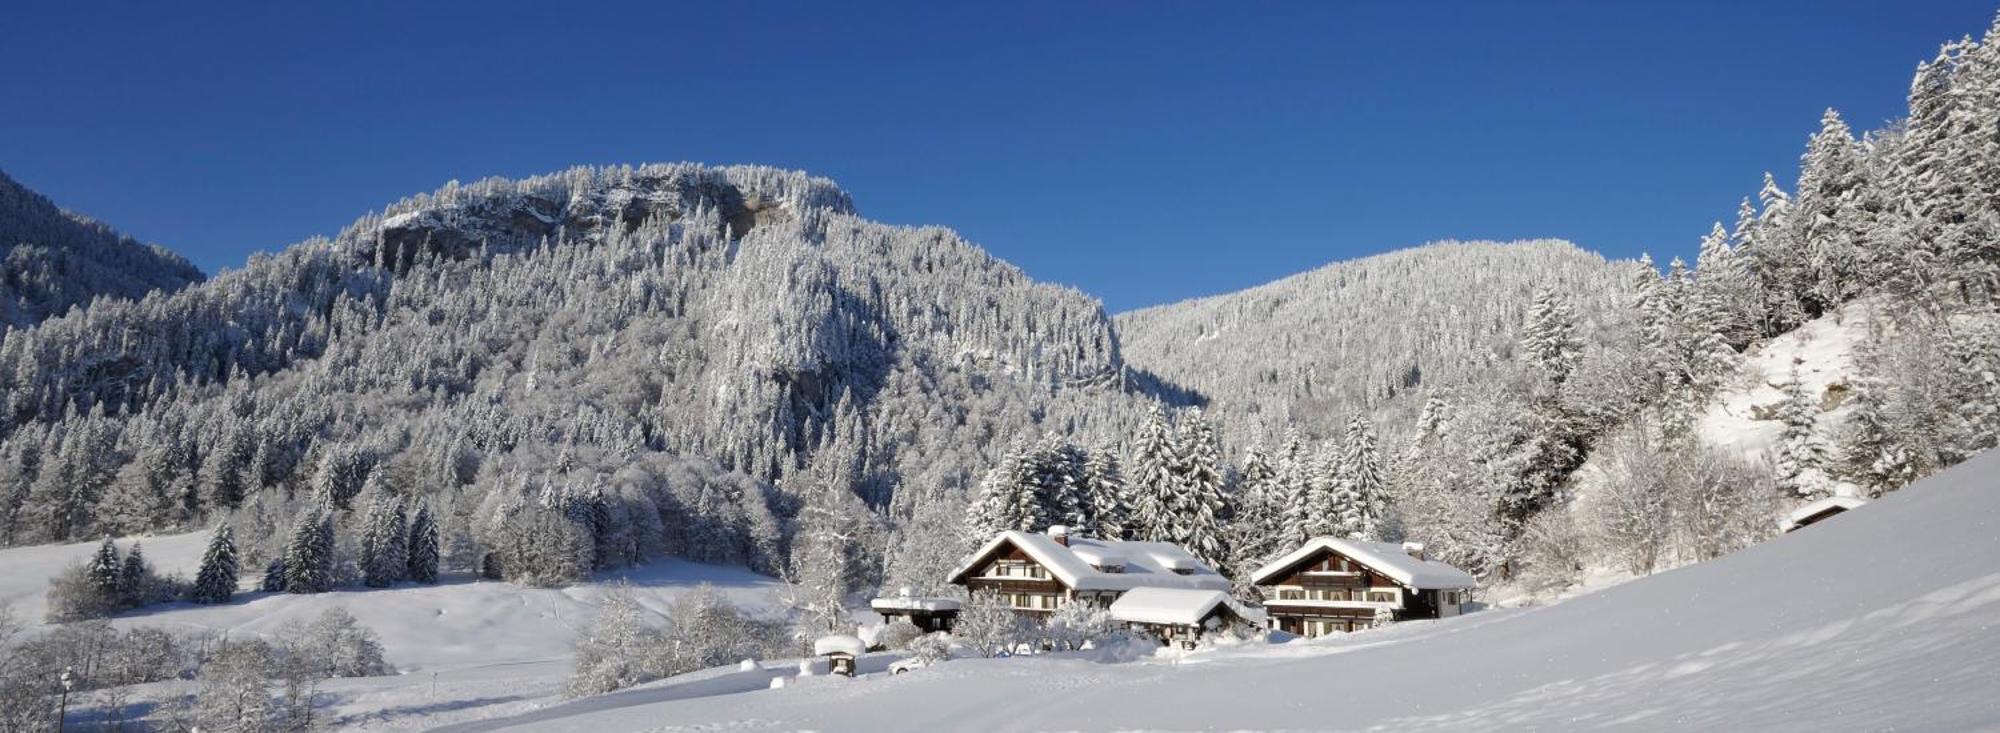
[[463, 648]]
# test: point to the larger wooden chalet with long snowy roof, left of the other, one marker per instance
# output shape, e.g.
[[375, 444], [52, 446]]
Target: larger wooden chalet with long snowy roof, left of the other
[[1039, 574]]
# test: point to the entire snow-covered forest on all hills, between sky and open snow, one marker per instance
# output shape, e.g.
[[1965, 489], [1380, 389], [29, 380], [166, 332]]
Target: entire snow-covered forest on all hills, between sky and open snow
[[565, 376]]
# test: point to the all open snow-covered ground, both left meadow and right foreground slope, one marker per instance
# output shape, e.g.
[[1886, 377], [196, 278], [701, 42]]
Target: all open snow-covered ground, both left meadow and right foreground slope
[[1879, 620]]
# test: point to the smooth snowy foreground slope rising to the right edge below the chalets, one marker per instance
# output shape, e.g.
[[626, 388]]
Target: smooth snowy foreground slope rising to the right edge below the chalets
[[1883, 618]]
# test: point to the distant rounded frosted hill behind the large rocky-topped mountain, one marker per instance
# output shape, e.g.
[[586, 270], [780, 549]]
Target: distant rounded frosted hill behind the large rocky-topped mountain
[[1311, 349]]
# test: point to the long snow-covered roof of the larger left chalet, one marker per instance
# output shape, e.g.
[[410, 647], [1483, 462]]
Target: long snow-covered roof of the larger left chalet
[[1145, 564]]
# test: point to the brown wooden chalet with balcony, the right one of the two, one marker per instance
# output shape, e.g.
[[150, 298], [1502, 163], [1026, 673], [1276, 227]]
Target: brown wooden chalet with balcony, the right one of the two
[[1345, 586]]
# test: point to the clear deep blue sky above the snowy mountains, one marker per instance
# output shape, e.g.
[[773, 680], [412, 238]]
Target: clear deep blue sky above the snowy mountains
[[1143, 153]]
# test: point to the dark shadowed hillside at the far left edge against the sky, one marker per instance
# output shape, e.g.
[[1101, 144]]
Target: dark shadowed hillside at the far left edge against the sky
[[53, 261]]
